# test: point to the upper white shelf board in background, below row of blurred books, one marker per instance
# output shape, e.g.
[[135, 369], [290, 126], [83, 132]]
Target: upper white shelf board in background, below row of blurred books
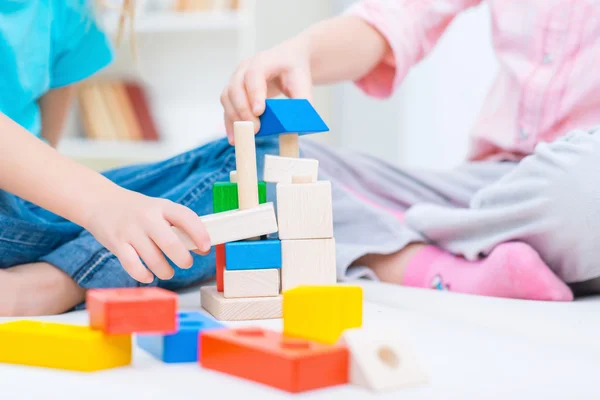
[[189, 21]]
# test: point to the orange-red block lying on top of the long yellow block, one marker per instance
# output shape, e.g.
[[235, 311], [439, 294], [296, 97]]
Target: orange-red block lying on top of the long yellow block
[[132, 310]]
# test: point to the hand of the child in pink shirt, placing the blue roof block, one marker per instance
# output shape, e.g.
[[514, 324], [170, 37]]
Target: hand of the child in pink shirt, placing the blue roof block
[[282, 69]]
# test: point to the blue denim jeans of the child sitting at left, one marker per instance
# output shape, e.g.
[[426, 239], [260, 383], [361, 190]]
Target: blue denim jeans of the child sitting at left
[[29, 233]]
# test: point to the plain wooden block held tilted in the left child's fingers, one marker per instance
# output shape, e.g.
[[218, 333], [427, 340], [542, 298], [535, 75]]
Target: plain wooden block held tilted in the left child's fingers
[[230, 226]]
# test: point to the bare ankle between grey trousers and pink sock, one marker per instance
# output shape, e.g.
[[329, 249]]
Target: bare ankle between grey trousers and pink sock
[[390, 267]]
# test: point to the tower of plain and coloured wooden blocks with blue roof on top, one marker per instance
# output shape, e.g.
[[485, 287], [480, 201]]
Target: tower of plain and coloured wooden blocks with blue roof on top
[[252, 273]]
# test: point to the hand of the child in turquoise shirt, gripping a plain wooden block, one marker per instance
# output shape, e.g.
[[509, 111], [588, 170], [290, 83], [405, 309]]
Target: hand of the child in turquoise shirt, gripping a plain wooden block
[[134, 226]]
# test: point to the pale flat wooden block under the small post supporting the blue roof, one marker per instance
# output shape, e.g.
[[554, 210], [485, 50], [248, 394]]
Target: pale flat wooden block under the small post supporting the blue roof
[[282, 169]]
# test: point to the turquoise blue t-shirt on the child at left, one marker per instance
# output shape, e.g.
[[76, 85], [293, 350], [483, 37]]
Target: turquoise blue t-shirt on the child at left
[[45, 44]]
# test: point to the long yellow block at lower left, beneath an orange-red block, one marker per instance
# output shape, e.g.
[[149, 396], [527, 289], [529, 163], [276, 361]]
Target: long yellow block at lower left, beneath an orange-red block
[[76, 348]]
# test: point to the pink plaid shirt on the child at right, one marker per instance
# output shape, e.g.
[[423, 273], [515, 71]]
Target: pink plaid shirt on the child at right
[[549, 65]]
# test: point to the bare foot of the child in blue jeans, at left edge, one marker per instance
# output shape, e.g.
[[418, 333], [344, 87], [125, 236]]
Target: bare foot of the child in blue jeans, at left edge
[[37, 289]]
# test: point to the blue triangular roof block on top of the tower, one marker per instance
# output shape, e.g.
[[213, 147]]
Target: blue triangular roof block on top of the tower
[[290, 116]]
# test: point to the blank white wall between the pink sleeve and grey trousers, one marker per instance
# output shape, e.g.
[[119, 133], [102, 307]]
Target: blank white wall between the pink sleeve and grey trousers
[[426, 123]]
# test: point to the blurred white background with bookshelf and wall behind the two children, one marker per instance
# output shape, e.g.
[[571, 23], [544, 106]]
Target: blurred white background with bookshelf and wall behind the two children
[[163, 98]]
